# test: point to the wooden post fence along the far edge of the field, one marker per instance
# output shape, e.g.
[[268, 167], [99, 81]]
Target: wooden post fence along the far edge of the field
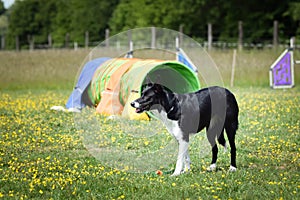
[[208, 44]]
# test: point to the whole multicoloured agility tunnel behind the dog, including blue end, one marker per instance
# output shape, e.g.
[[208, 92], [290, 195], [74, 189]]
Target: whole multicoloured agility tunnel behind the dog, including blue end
[[107, 84]]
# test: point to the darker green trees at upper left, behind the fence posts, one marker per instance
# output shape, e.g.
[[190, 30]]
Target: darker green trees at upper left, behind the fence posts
[[59, 18]]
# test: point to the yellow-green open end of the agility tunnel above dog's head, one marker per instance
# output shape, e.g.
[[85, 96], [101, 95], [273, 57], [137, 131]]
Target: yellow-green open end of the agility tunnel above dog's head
[[171, 74]]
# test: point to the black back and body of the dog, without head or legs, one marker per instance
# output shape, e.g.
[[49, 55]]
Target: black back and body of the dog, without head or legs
[[206, 106]]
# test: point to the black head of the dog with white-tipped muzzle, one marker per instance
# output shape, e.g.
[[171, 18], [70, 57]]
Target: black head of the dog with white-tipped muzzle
[[151, 96]]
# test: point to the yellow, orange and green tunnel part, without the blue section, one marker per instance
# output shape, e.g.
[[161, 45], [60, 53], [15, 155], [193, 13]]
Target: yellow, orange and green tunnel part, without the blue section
[[136, 72]]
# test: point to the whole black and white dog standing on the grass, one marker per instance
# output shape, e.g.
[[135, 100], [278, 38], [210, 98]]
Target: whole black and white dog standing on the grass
[[213, 108]]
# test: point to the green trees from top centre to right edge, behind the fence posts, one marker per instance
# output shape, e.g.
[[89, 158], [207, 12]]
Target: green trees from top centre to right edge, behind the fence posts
[[257, 17]]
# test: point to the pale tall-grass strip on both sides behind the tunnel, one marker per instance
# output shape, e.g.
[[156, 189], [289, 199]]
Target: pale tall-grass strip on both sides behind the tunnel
[[58, 68]]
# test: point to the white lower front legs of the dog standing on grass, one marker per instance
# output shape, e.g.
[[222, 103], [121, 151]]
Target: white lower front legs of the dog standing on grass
[[182, 154]]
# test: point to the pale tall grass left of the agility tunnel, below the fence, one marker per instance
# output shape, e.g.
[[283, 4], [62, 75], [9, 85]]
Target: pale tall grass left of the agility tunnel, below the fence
[[53, 69]]
